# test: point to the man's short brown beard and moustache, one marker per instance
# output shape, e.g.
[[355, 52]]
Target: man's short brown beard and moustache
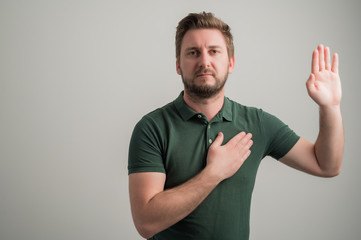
[[203, 91]]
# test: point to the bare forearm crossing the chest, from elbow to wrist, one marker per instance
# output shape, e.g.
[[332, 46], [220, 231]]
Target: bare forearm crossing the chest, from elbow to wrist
[[170, 206]]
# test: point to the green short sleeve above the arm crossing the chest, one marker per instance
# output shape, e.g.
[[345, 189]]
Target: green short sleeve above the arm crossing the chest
[[145, 154]]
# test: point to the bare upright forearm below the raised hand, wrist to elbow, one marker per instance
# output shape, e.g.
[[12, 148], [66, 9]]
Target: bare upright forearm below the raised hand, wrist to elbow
[[330, 142]]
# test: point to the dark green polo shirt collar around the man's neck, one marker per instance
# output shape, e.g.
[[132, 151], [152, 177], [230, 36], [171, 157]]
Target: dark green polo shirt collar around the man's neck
[[187, 113]]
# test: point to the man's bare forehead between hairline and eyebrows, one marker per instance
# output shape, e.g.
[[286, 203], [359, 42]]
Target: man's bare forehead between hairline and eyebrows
[[203, 38]]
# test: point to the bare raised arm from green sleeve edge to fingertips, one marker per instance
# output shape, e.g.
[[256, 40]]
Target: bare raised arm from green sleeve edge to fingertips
[[324, 157]]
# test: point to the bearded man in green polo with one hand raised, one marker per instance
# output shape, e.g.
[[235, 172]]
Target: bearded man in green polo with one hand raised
[[193, 162]]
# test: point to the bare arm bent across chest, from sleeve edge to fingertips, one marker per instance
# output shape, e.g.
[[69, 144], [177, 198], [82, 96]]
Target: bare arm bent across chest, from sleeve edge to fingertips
[[155, 209]]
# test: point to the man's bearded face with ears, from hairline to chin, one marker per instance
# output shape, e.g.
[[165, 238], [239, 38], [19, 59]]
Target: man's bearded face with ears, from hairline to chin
[[204, 63]]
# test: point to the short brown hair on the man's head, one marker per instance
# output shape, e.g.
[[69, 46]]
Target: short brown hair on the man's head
[[203, 21]]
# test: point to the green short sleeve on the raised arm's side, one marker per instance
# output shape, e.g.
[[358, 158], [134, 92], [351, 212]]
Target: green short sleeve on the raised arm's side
[[279, 137]]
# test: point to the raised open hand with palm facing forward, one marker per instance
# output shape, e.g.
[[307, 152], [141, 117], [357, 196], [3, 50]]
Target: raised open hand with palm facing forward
[[324, 85]]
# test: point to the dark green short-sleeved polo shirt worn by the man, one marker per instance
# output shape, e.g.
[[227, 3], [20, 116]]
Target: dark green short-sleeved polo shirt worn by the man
[[175, 139]]
